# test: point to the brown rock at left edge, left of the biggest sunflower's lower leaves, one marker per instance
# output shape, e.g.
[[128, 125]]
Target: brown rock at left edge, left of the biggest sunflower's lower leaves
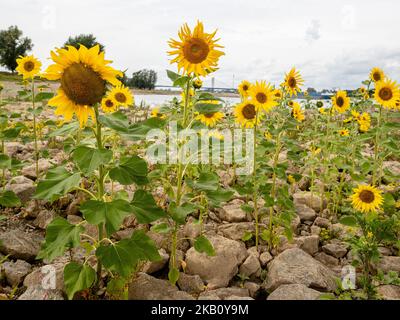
[[20, 245]]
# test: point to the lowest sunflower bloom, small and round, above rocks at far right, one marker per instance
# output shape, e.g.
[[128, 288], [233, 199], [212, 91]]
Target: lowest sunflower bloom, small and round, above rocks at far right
[[366, 198]]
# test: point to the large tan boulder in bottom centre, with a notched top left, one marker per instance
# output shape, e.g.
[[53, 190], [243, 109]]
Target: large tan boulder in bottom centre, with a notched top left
[[217, 270]]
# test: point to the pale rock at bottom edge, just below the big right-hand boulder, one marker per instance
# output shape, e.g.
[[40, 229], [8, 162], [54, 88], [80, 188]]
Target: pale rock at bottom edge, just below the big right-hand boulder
[[294, 292]]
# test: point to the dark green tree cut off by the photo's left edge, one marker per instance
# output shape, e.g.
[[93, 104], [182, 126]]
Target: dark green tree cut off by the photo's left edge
[[13, 45]]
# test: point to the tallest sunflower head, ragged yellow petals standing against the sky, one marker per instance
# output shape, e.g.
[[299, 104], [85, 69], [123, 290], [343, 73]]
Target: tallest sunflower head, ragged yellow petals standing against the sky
[[196, 51]]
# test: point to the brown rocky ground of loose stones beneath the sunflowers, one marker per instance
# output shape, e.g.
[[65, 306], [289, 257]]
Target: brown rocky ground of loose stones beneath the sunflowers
[[303, 269]]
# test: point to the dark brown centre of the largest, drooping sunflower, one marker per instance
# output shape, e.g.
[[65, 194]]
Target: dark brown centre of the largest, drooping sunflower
[[82, 84]]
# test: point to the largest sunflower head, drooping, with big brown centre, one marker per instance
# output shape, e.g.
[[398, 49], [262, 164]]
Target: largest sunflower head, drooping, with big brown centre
[[83, 74]]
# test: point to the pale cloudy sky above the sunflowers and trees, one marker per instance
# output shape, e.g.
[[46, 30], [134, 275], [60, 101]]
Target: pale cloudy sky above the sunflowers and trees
[[334, 44]]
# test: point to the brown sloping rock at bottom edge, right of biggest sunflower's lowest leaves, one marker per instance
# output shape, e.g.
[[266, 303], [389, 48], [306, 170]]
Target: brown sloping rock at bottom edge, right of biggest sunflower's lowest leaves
[[145, 287]]
